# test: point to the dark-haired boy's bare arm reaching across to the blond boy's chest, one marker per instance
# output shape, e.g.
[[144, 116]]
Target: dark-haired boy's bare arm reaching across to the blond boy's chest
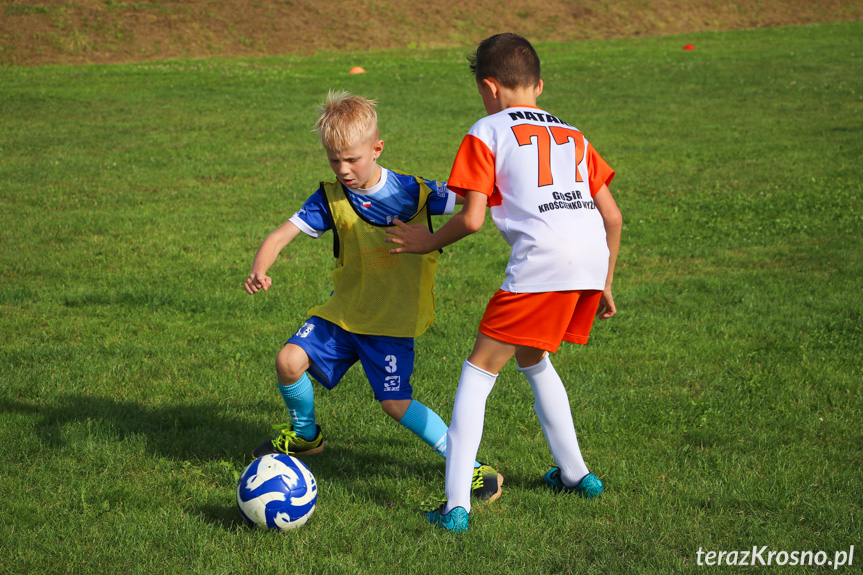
[[417, 239]]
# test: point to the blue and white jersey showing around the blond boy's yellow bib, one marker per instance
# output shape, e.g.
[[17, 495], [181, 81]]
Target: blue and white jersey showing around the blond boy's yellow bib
[[394, 196]]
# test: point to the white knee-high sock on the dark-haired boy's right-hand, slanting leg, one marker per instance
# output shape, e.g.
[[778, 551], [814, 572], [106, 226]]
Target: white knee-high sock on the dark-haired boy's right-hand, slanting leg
[[551, 405]]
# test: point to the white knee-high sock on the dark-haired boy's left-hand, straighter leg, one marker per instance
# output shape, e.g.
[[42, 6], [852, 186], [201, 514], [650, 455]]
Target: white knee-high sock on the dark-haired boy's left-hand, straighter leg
[[465, 433]]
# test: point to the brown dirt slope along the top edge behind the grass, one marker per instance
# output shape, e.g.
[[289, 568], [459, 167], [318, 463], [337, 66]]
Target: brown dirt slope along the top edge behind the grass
[[98, 31]]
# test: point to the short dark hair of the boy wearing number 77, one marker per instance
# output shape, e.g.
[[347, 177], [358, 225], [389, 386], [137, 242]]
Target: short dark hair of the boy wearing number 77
[[508, 58]]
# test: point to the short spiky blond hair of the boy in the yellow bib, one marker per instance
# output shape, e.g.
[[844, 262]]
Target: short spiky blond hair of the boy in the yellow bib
[[346, 121]]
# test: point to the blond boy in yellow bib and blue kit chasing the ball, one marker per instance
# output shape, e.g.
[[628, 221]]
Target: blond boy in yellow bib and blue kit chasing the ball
[[380, 302]]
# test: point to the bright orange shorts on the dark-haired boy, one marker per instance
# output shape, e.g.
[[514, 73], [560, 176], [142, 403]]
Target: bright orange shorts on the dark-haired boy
[[541, 320]]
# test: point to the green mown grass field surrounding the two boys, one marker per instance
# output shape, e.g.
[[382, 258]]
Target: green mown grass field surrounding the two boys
[[718, 407]]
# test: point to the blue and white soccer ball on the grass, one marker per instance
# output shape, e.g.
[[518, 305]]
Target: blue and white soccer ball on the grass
[[277, 491]]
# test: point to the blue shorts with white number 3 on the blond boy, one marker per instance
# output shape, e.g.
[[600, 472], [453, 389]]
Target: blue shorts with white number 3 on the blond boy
[[387, 361]]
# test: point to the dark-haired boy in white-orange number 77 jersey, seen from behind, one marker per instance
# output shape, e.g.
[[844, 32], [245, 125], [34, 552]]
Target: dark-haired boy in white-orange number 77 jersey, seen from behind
[[548, 195]]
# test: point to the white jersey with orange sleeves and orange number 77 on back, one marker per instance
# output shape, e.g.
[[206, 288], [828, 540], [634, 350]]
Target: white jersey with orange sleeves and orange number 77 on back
[[540, 174]]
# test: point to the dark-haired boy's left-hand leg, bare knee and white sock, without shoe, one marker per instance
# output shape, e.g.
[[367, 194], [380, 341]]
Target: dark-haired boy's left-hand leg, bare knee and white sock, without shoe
[[478, 377]]
